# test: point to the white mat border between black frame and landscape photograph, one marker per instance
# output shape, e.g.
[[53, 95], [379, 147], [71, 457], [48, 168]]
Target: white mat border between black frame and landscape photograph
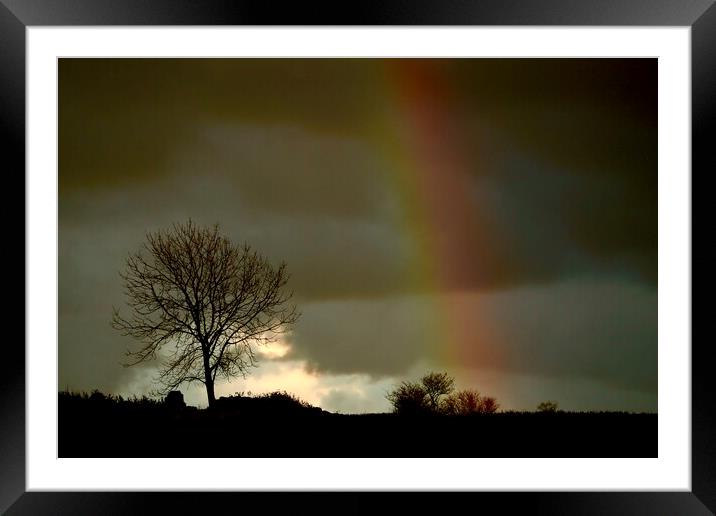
[[671, 470]]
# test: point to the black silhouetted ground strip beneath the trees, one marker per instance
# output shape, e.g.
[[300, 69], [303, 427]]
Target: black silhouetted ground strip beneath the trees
[[97, 427]]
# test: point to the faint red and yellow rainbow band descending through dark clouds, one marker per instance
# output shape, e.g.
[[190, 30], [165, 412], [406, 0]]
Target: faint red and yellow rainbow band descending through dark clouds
[[431, 175]]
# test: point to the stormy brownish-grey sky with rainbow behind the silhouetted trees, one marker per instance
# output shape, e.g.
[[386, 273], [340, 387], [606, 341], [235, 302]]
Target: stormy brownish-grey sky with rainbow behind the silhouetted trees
[[492, 218]]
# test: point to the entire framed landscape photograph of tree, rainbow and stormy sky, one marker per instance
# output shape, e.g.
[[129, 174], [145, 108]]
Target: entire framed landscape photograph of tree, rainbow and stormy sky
[[357, 257]]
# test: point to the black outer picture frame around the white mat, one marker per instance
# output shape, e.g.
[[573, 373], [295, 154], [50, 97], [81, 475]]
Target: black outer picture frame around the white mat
[[16, 15]]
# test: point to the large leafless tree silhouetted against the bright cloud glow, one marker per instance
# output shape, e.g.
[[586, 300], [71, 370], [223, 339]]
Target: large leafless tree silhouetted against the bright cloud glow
[[205, 300]]
